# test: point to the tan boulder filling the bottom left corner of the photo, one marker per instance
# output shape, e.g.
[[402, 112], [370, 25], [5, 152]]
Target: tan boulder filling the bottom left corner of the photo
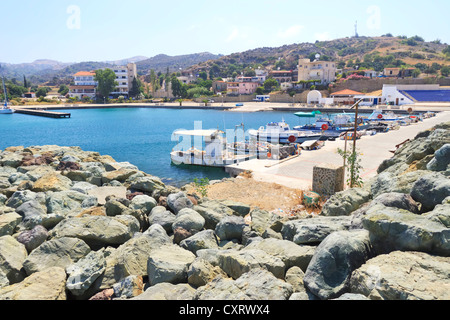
[[48, 284]]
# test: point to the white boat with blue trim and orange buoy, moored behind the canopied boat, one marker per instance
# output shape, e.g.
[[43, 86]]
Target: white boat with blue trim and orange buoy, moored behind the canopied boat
[[281, 133]]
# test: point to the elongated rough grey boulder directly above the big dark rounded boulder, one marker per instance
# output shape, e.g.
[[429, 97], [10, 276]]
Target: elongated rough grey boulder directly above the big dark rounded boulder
[[312, 231]]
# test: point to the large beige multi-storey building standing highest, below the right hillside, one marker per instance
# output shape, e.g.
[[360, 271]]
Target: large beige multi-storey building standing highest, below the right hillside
[[325, 71]]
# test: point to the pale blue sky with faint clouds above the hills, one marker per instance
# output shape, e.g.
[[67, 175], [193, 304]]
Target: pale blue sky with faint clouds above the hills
[[100, 30]]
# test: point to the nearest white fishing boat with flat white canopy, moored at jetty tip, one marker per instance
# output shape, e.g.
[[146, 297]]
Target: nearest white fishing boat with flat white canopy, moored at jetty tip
[[204, 148]]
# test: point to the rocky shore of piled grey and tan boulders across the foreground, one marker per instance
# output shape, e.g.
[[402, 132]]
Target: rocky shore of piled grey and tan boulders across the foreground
[[77, 225]]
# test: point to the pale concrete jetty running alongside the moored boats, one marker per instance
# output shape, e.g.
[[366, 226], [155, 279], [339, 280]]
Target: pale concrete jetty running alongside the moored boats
[[298, 172]]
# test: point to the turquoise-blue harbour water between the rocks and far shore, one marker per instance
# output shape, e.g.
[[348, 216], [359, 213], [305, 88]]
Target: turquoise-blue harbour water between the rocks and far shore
[[140, 136]]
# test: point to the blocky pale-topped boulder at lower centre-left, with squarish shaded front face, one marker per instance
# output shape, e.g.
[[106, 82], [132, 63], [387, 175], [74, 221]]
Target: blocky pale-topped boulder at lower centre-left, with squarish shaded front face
[[170, 263]]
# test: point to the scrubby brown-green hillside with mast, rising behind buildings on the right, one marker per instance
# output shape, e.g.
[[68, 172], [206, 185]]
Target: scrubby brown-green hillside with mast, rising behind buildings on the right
[[366, 52]]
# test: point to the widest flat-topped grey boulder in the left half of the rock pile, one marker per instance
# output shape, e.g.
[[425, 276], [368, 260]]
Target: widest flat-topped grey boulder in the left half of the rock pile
[[98, 231]]
